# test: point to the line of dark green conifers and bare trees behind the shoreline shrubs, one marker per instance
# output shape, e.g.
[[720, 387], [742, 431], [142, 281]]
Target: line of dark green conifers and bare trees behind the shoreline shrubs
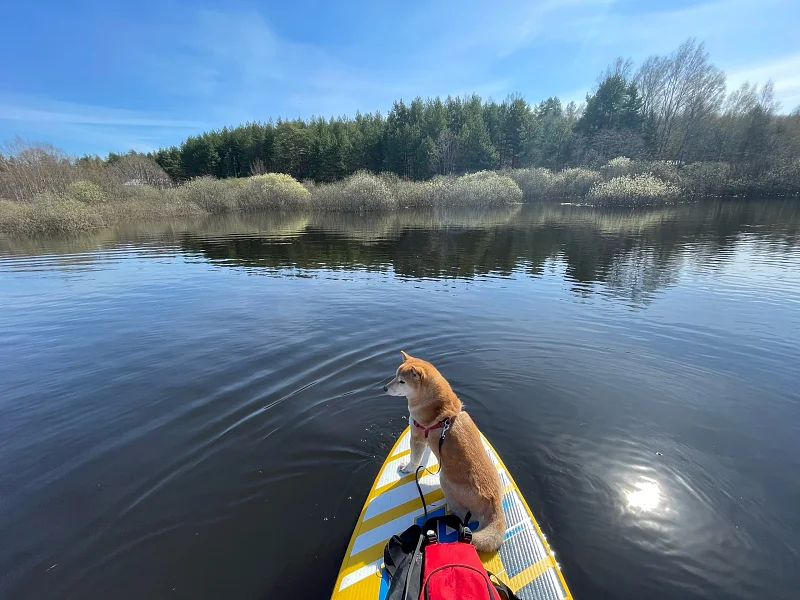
[[669, 108]]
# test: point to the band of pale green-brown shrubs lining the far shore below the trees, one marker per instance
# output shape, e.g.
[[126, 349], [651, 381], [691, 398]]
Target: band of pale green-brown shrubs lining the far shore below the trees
[[42, 192]]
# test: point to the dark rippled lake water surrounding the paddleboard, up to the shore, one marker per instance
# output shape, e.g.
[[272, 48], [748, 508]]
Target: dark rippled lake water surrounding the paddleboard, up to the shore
[[193, 410]]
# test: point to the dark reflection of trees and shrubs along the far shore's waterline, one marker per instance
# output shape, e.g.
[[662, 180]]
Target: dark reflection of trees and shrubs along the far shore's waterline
[[631, 253]]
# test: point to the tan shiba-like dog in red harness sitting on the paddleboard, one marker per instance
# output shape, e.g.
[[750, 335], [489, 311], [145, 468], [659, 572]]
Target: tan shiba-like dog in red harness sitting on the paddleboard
[[469, 480]]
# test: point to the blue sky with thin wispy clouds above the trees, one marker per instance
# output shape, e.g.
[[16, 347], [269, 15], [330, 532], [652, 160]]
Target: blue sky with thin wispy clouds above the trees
[[92, 77]]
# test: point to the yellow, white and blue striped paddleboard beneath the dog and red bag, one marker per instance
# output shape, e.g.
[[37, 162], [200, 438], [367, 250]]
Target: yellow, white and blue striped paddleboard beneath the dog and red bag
[[525, 561]]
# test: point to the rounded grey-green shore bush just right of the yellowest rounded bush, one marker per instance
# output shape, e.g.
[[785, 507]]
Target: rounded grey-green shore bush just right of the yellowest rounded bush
[[361, 192]]
